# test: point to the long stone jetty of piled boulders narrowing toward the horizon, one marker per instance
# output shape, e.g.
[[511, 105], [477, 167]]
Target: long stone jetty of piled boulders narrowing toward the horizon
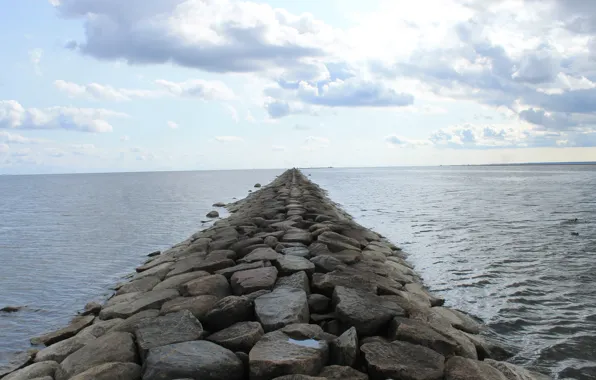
[[287, 287]]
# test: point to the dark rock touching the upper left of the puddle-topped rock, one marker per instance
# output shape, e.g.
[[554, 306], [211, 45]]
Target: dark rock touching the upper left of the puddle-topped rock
[[241, 336]]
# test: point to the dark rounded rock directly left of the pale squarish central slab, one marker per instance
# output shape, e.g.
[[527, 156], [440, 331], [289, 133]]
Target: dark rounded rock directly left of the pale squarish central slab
[[228, 311]]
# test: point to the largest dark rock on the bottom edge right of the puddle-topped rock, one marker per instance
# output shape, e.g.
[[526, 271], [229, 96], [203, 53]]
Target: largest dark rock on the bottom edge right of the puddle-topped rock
[[402, 360]]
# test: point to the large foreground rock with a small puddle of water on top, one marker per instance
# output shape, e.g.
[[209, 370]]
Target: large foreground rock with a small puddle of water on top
[[276, 354]]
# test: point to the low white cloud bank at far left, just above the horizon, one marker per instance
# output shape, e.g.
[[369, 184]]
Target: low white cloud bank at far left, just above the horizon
[[14, 116]]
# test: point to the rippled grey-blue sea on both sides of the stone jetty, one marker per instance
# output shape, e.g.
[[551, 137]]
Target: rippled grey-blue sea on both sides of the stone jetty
[[498, 242]]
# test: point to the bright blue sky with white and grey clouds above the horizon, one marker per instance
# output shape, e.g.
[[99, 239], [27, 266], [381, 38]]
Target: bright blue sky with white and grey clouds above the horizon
[[138, 85]]
